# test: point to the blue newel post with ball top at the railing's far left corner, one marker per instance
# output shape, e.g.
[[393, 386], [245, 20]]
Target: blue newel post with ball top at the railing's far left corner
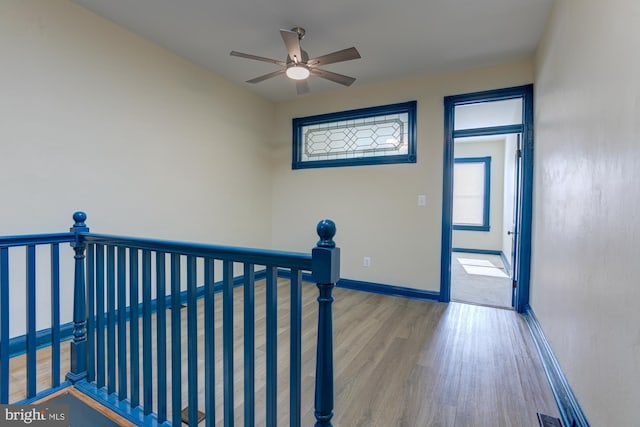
[[79, 344]]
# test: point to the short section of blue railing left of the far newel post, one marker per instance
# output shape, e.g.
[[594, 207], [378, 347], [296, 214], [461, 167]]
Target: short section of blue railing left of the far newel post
[[26, 251]]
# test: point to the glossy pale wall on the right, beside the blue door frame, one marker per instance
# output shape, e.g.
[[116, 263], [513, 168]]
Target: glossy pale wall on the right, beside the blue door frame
[[585, 246]]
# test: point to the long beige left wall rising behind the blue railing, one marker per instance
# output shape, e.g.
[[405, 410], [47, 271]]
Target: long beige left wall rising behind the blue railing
[[93, 117]]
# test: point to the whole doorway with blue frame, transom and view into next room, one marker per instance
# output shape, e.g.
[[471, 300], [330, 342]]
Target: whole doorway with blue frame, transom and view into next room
[[487, 198]]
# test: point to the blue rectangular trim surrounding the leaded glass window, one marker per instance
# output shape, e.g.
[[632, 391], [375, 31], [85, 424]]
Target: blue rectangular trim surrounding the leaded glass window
[[404, 107]]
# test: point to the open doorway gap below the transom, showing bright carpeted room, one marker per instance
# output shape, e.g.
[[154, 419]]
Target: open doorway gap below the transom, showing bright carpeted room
[[483, 218]]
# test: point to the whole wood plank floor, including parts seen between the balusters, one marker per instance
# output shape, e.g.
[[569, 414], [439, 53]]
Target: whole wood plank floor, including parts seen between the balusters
[[398, 362]]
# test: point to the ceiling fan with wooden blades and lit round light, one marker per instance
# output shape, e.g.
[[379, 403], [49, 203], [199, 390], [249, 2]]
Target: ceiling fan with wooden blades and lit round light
[[299, 67]]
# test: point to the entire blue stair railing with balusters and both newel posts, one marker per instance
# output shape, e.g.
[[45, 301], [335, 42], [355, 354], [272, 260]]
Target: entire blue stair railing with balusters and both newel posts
[[120, 282]]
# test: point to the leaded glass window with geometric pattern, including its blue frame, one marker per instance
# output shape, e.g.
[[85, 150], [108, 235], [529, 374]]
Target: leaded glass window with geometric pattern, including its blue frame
[[373, 135]]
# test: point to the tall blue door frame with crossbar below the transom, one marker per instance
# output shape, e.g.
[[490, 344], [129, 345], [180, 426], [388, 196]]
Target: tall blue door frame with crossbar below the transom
[[526, 183]]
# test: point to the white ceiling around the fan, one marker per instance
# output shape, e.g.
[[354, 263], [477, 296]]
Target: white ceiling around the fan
[[396, 39]]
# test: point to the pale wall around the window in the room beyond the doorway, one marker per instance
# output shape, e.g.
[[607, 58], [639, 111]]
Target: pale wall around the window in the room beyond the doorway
[[492, 239]]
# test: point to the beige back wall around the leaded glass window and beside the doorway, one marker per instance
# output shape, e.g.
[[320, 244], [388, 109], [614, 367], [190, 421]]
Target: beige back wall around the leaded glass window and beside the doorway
[[375, 207]]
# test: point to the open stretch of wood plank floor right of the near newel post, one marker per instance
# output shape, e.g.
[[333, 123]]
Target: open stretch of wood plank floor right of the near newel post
[[430, 364]]
